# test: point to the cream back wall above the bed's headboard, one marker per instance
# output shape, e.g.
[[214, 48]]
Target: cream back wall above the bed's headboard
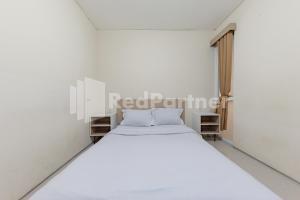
[[174, 63]]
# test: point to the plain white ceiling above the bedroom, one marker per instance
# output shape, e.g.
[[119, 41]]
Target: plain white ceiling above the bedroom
[[157, 14]]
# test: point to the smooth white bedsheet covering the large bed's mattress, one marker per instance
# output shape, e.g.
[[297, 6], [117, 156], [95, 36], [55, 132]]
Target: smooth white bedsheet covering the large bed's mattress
[[164, 163]]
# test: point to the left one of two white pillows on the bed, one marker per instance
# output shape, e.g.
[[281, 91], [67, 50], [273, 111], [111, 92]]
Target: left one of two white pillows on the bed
[[137, 118]]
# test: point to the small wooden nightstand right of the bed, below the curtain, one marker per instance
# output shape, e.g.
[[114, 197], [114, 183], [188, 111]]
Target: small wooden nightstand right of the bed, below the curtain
[[207, 124]]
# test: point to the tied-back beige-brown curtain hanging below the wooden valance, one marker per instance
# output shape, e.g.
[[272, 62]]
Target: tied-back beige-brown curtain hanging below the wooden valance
[[225, 47]]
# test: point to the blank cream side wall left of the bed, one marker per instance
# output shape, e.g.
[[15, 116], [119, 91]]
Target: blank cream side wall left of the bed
[[45, 46]]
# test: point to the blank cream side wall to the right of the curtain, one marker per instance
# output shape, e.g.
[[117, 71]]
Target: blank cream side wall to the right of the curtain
[[266, 82]]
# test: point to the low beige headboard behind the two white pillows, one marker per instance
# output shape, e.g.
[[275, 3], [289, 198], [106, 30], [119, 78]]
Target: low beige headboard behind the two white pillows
[[142, 104]]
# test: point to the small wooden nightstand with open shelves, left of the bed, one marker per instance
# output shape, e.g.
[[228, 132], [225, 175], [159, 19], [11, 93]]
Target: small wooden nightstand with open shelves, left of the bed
[[101, 125]]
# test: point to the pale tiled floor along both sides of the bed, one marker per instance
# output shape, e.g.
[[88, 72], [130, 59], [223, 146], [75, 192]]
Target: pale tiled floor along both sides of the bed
[[283, 186]]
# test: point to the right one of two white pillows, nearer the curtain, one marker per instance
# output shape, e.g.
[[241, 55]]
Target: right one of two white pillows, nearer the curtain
[[167, 116]]
